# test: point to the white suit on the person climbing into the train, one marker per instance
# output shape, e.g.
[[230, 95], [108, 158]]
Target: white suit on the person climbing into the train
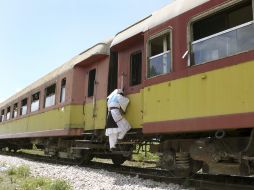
[[116, 100]]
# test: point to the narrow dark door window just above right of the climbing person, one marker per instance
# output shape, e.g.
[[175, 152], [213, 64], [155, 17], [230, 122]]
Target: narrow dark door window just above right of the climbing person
[[135, 68]]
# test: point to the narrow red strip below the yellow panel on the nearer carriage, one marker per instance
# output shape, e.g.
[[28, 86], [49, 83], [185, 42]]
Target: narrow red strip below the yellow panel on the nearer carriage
[[233, 121]]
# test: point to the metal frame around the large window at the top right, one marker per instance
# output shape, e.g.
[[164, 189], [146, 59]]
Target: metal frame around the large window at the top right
[[211, 11]]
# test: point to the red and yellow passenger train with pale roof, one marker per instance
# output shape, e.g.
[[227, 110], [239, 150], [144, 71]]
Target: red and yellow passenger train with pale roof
[[187, 70]]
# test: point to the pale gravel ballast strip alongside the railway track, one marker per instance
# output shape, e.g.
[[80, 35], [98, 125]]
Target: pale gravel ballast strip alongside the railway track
[[84, 178]]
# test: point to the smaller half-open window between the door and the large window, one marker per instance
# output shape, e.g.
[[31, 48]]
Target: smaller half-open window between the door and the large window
[[159, 52]]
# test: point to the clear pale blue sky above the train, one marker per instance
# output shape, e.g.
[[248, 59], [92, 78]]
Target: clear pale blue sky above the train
[[38, 36]]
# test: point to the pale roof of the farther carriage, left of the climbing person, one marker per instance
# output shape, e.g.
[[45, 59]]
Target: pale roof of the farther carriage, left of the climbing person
[[98, 49]]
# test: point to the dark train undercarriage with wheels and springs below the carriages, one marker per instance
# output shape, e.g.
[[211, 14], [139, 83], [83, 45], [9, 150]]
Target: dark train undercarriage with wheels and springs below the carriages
[[219, 152]]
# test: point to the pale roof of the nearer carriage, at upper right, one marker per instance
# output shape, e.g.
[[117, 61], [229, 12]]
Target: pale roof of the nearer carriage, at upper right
[[171, 10]]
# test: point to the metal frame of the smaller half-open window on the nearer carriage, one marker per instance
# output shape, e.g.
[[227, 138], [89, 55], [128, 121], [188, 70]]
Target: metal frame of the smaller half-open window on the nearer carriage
[[163, 32]]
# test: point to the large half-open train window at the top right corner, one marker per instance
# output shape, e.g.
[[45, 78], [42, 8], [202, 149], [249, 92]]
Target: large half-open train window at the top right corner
[[225, 33]]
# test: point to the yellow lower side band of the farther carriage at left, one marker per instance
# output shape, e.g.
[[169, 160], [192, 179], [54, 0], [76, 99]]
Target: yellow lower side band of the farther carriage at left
[[37, 124]]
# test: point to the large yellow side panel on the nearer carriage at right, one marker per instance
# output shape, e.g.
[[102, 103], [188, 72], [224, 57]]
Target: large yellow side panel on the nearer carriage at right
[[224, 91]]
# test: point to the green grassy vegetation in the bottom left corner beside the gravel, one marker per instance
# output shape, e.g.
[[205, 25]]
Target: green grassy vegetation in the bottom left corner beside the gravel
[[19, 178]]
